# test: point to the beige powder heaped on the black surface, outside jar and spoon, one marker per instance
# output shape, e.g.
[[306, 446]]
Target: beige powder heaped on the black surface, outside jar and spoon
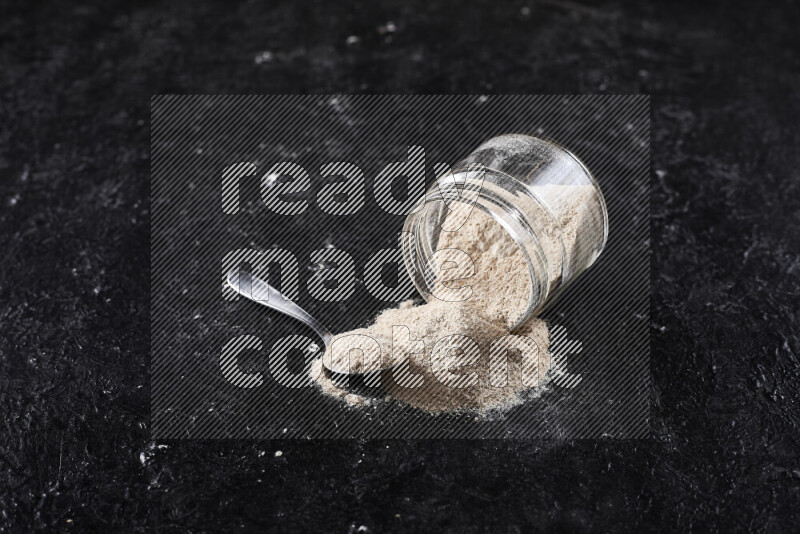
[[445, 360]]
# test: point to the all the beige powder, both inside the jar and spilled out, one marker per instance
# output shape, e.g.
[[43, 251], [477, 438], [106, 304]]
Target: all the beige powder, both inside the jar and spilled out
[[452, 354]]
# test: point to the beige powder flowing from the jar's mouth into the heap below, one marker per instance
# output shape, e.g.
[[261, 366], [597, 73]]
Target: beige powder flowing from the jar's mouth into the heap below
[[453, 356]]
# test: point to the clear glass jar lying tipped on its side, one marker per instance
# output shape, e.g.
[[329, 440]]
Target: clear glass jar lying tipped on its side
[[540, 193]]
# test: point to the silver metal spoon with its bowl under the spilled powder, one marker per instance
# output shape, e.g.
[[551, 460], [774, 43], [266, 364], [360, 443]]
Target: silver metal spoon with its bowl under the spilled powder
[[258, 290]]
